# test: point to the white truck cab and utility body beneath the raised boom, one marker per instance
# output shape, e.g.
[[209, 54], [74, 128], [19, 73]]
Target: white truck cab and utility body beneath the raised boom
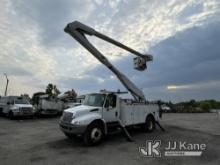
[[100, 112]]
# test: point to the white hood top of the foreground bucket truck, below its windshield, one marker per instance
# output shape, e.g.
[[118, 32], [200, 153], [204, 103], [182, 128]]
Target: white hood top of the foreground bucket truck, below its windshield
[[81, 109]]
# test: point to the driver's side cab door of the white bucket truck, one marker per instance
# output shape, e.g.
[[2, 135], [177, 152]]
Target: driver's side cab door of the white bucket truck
[[110, 109]]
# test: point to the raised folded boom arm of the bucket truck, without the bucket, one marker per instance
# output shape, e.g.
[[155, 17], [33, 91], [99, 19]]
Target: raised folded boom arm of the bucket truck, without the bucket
[[78, 30]]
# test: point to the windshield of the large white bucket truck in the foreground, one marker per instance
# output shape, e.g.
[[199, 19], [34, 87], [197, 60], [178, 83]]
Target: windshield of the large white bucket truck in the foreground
[[96, 100]]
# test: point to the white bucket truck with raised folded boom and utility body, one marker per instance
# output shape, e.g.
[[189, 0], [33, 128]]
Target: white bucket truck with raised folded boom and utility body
[[102, 112]]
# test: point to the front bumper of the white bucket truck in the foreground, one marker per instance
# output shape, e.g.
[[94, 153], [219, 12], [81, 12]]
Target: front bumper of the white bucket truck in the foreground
[[71, 128]]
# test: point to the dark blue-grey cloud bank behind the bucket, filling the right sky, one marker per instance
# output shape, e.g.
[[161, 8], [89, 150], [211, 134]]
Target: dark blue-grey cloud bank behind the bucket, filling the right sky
[[188, 60]]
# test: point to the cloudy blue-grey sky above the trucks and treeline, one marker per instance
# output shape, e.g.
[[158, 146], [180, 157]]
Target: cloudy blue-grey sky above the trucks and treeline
[[182, 35]]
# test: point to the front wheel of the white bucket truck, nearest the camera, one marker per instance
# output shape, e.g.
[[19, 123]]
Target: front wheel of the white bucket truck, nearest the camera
[[93, 134]]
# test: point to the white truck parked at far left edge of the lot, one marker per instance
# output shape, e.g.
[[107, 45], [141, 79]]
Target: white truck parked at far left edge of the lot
[[13, 106]]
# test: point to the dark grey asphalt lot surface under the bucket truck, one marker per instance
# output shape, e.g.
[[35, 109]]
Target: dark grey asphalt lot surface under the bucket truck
[[39, 141]]
